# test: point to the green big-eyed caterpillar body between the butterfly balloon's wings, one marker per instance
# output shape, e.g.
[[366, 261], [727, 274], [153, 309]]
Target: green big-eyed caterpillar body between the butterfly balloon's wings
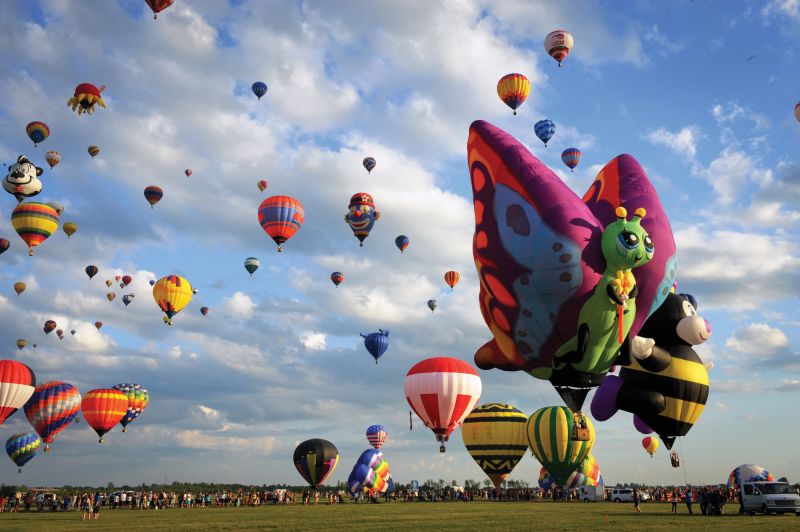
[[606, 318]]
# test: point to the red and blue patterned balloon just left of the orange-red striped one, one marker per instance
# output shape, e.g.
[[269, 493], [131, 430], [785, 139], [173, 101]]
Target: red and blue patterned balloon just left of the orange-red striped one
[[51, 409]]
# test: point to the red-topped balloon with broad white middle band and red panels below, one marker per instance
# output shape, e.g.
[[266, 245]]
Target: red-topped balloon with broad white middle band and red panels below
[[442, 391]]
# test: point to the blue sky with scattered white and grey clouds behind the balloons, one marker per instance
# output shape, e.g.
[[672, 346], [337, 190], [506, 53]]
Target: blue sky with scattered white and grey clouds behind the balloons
[[700, 92]]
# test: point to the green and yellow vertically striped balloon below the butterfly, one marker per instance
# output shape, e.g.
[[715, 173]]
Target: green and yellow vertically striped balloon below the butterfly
[[552, 438]]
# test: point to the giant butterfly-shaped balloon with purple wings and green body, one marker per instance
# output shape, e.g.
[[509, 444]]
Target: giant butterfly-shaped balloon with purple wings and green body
[[544, 275]]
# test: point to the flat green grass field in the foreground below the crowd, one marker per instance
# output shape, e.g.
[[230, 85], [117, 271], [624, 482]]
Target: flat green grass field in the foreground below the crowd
[[405, 516]]
